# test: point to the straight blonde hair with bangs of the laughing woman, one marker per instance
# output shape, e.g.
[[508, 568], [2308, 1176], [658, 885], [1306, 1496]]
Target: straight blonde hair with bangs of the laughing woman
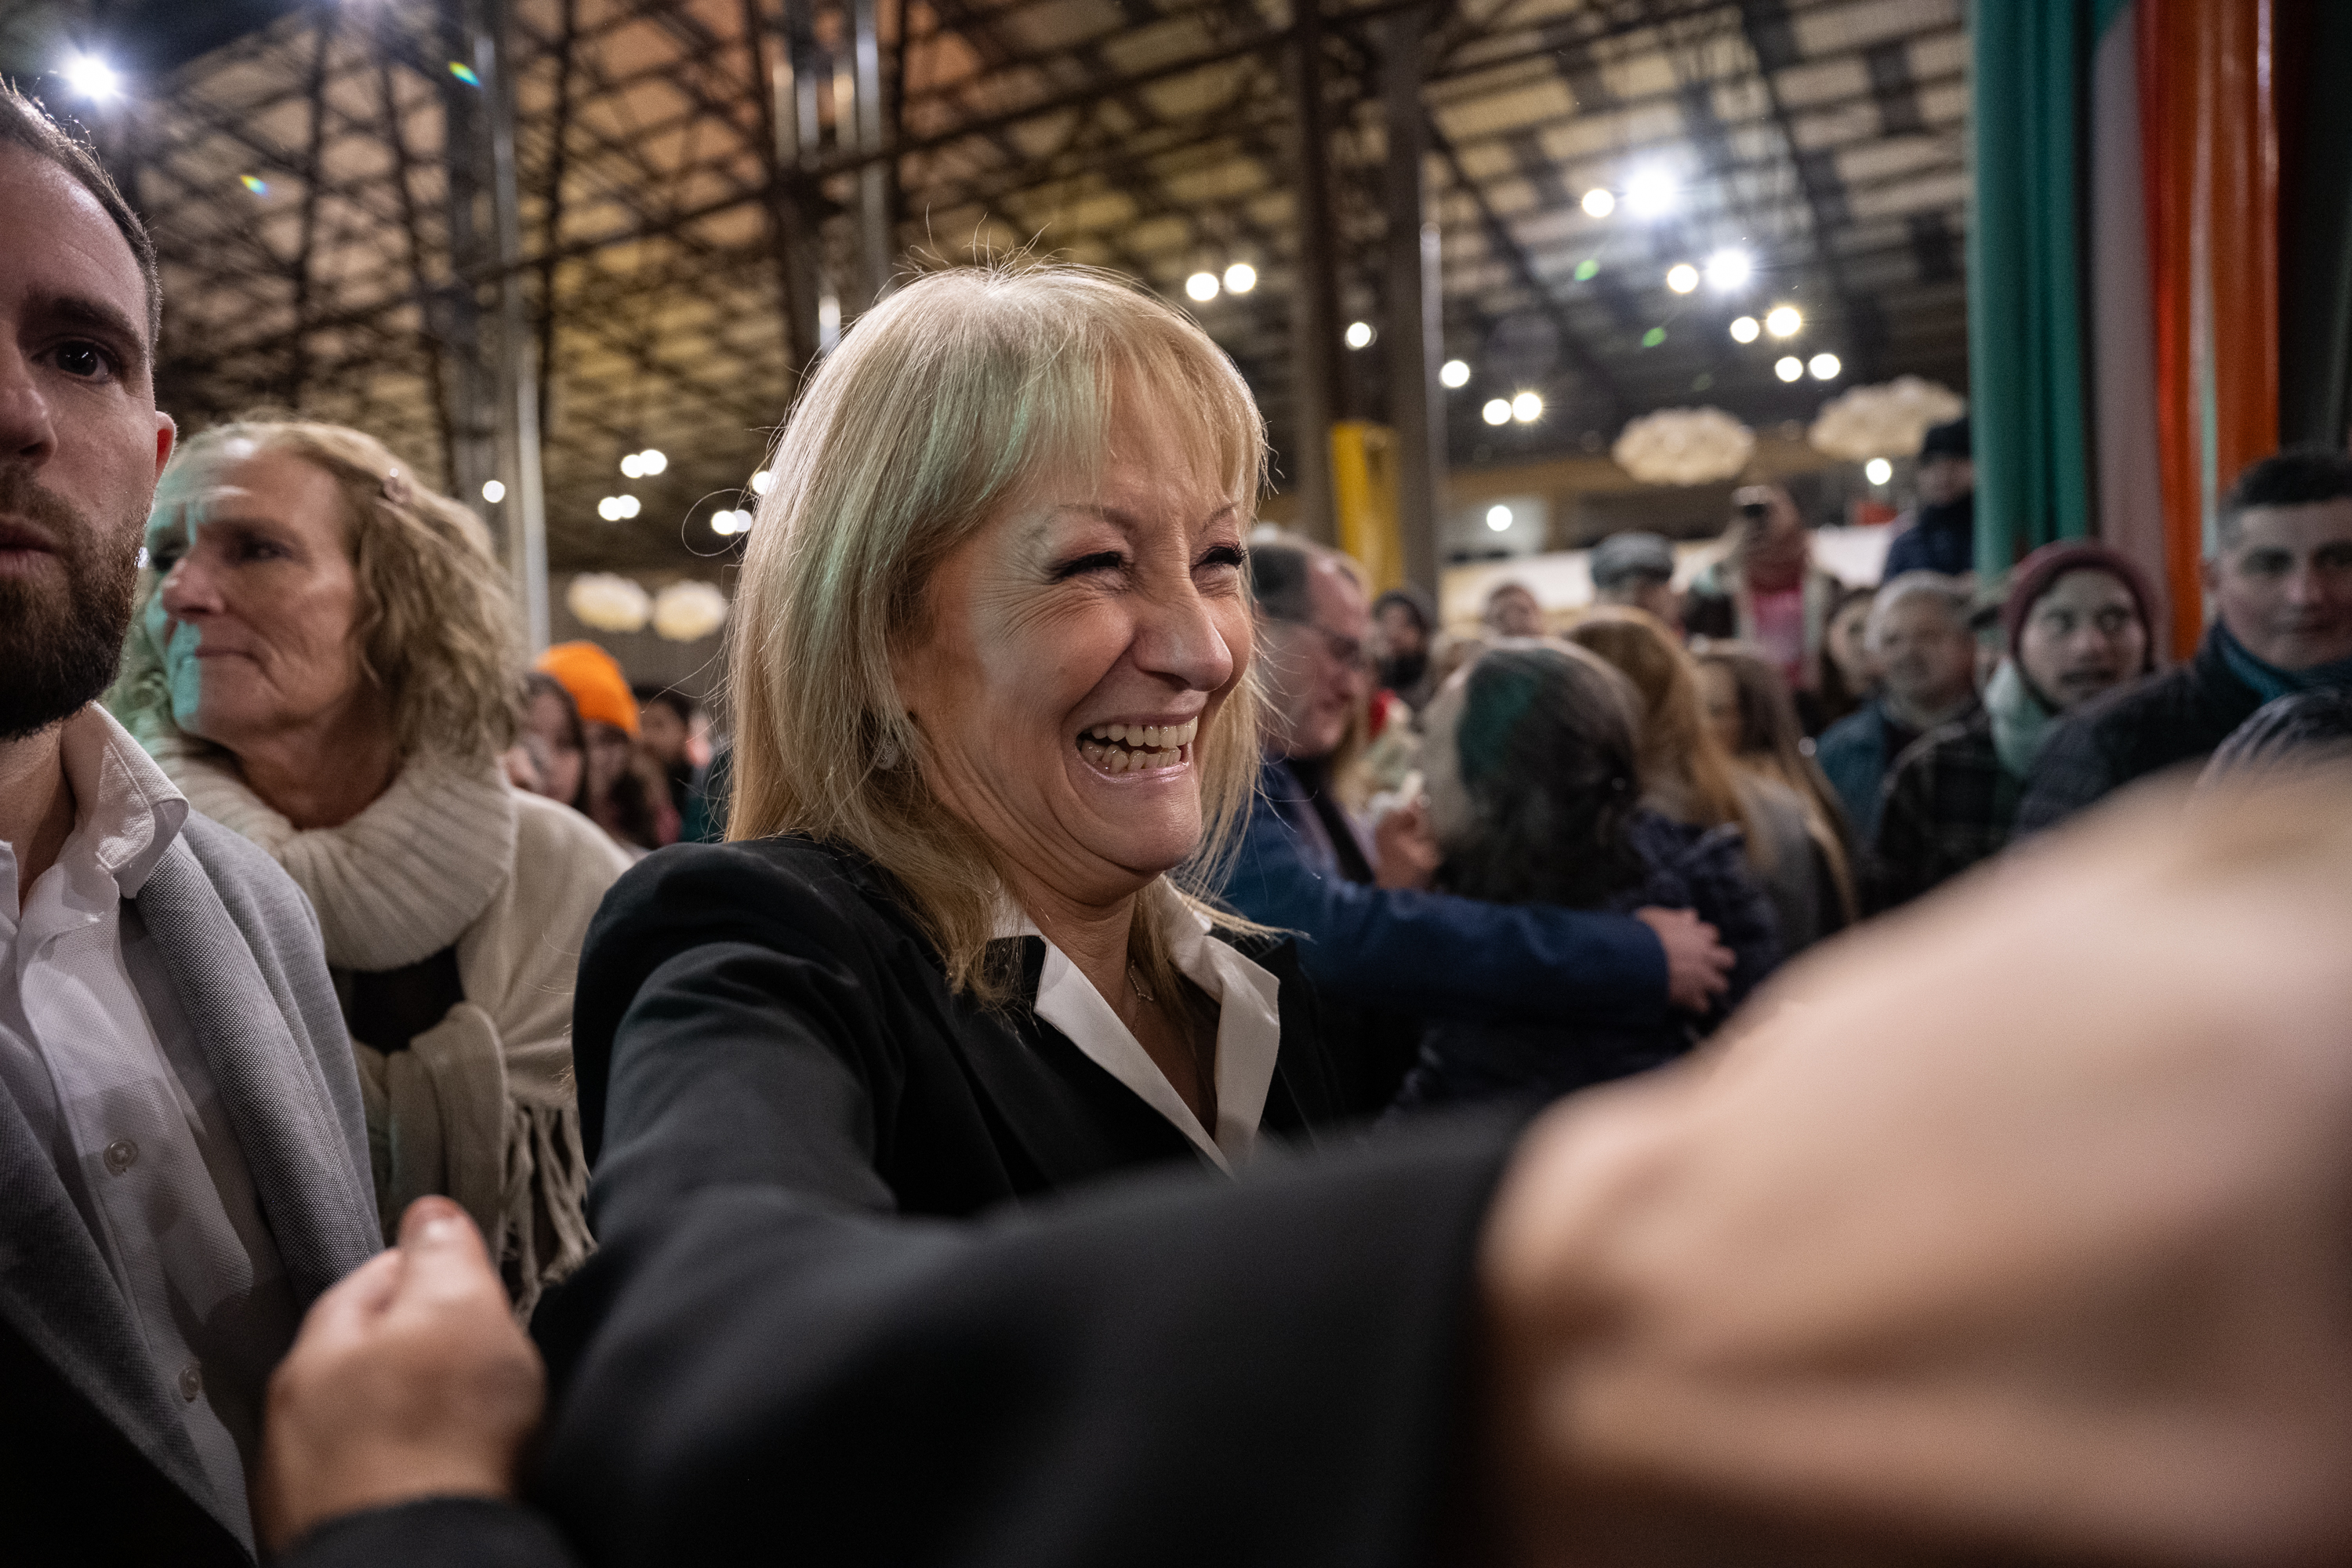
[[947, 403]]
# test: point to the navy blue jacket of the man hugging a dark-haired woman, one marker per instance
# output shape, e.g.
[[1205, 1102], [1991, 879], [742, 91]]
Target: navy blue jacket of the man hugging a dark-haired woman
[[1431, 953]]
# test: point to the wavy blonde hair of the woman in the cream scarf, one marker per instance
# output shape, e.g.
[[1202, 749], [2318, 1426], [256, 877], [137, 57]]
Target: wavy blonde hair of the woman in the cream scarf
[[436, 626]]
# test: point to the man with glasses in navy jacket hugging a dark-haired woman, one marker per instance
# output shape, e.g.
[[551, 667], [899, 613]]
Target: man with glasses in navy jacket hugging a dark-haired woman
[[1394, 956]]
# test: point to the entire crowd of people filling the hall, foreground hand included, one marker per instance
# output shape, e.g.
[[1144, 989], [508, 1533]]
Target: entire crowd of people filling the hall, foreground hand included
[[1163, 1057]]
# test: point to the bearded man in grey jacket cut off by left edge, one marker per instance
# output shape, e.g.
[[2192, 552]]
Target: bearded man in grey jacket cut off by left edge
[[182, 1151]]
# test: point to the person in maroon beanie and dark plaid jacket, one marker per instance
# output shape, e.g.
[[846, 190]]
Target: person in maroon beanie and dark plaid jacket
[[2080, 626]]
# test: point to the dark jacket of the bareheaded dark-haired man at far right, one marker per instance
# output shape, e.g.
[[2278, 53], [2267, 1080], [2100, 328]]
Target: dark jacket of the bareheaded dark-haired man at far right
[[2141, 730]]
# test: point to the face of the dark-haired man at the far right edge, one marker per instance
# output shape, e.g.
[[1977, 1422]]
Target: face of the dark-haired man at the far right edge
[[2285, 589]]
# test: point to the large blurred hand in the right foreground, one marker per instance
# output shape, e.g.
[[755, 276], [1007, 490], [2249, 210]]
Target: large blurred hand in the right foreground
[[2010, 1228]]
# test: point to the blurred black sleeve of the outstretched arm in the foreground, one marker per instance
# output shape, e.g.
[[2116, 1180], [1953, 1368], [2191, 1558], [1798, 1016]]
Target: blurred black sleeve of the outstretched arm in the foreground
[[1165, 1372]]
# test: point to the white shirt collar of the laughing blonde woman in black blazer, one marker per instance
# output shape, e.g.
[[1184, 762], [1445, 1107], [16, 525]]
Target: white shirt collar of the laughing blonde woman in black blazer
[[1248, 1026]]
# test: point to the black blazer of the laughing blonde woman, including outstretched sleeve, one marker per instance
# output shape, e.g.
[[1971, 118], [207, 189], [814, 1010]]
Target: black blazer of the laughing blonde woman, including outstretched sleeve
[[796, 1346]]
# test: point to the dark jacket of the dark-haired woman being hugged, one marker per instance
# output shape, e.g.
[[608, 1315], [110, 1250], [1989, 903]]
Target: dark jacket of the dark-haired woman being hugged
[[1685, 869]]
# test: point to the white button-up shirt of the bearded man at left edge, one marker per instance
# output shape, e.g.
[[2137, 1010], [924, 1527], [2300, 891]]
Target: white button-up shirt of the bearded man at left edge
[[114, 1085]]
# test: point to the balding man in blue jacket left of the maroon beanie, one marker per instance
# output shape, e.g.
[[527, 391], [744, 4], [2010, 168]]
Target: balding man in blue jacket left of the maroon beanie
[[1920, 636]]
